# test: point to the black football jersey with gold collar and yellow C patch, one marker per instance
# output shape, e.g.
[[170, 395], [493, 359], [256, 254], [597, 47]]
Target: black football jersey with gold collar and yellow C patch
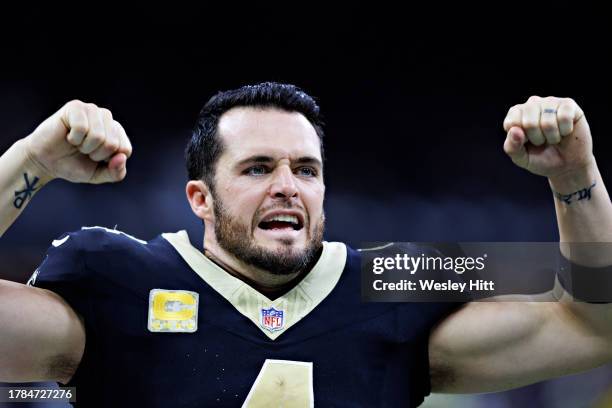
[[166, 327]]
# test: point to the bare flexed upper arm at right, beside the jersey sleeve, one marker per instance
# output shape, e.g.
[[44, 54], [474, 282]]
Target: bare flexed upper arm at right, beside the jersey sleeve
[[491, 346]]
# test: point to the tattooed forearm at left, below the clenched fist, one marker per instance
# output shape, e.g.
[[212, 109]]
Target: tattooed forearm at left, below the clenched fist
[[20, 180]]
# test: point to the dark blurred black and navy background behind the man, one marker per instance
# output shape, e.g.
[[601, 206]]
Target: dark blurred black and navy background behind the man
[[413, 100]]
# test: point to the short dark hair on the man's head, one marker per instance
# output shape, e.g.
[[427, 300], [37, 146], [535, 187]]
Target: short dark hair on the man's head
[[205, 146]]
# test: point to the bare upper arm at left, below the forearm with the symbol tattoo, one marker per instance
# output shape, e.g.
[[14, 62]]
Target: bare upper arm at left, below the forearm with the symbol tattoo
[[42, 337]]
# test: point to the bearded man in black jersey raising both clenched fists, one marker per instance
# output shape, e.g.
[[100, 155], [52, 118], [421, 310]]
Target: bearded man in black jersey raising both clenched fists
[[268, 314]]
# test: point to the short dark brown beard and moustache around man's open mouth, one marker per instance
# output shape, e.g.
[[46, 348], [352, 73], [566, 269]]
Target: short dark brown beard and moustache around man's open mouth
[[237, 239]]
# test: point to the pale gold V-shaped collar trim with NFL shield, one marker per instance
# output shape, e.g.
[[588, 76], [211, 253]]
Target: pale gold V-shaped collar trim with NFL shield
[[295, 304]]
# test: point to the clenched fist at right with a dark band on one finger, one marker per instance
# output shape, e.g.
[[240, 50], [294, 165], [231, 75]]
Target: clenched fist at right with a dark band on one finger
[[548, 136]]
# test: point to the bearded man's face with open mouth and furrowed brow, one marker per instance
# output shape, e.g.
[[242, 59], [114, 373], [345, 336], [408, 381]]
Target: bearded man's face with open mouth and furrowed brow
[[269, 189]]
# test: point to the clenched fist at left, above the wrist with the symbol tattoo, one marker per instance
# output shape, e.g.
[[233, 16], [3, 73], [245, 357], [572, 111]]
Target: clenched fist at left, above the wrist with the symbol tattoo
[[80, 143]]
